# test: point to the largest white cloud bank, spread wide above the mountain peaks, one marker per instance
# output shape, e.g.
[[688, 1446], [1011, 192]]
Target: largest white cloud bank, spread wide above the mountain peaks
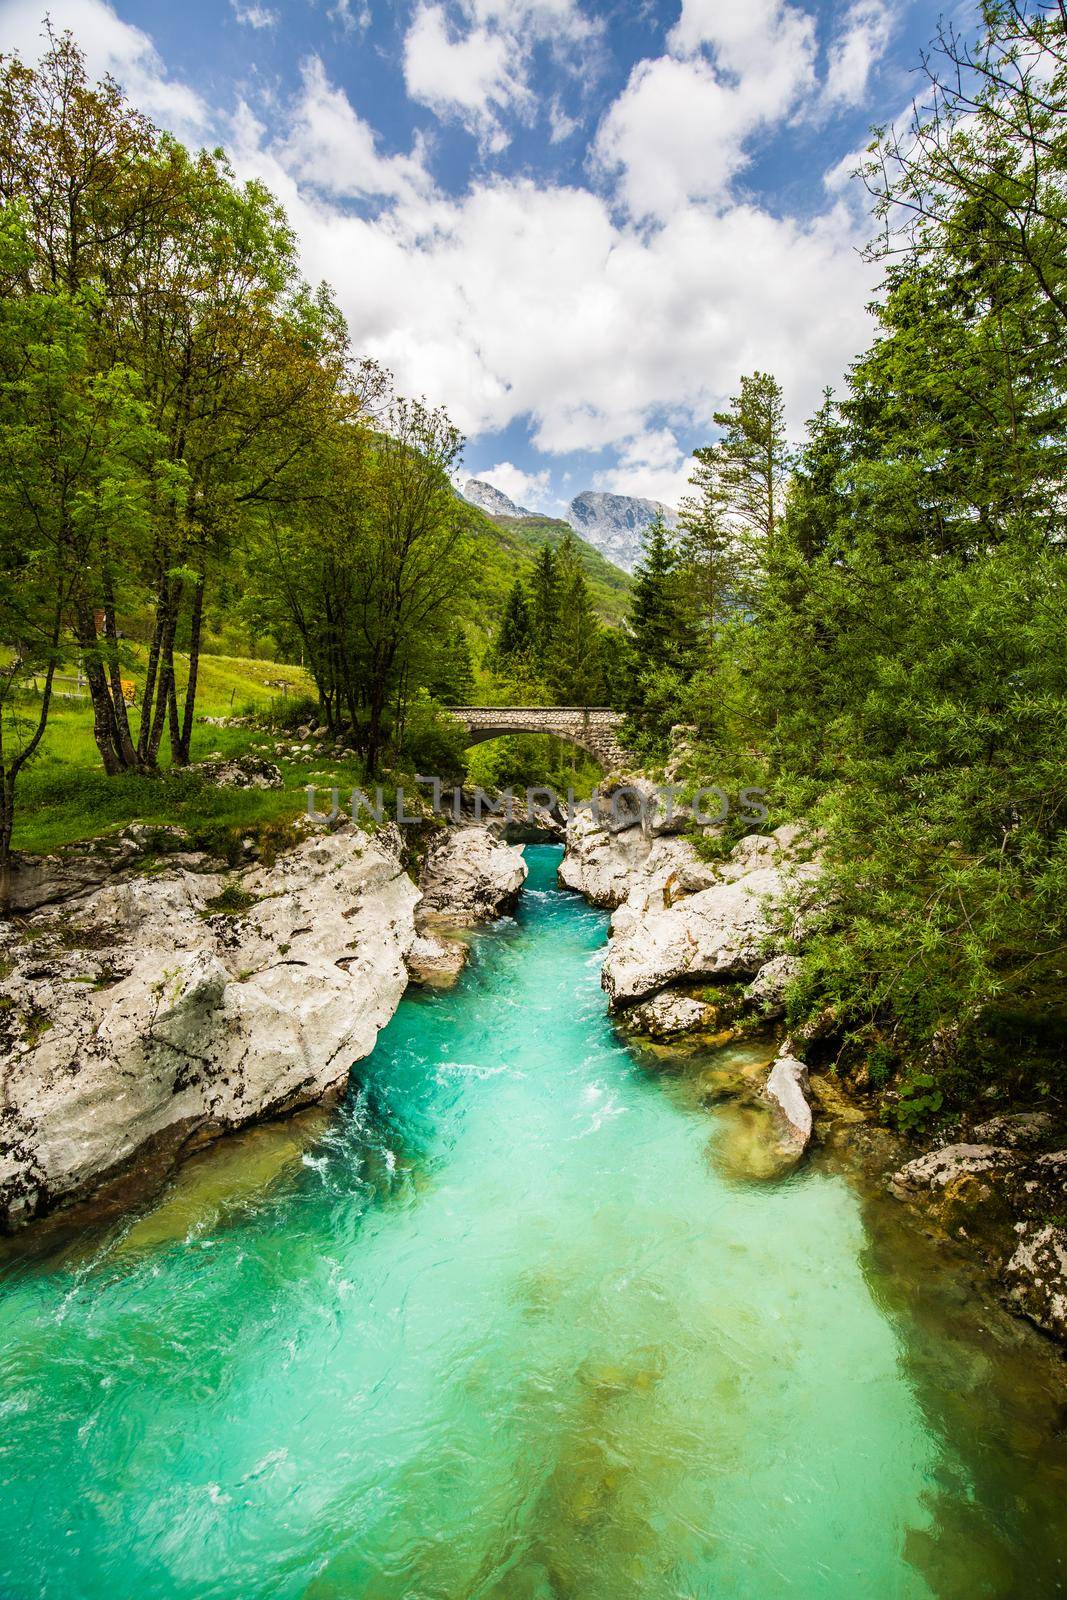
[[535, 302]]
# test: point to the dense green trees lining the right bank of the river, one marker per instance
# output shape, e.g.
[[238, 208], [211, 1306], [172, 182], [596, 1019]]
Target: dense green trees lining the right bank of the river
[[874, 626]]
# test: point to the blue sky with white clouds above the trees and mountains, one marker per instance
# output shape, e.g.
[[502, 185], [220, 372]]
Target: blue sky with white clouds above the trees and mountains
[[575, 225]]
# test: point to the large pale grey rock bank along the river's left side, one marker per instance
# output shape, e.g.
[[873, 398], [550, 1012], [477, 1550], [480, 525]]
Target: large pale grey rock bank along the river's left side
[[153, 1002]]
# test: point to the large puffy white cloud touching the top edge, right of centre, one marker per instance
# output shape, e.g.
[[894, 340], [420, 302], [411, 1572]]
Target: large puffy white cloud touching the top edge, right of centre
[[679, 132]]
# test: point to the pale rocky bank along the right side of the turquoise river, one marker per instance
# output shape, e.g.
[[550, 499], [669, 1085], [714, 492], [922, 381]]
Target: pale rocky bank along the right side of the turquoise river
[[701, 950]]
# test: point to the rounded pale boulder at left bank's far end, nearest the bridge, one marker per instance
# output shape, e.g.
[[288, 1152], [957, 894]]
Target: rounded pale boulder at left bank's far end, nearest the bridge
[[470, 878]]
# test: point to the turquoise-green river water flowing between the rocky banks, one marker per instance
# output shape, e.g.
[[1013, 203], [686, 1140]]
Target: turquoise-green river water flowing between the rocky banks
[[506, 1324]]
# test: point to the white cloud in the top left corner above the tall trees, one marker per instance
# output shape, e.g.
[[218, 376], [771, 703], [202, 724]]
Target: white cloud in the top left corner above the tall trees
[[111, 46]]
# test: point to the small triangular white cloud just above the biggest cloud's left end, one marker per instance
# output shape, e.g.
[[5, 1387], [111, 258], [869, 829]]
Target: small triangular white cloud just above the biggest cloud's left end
[[334, 150]]
